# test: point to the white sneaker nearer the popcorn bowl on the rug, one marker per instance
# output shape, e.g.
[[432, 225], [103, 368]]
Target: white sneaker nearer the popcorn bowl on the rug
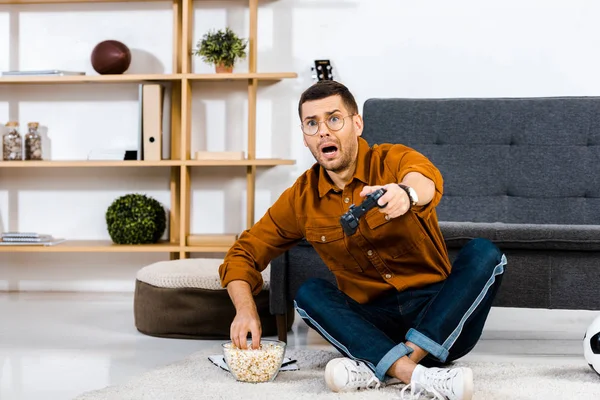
[[344, 375]]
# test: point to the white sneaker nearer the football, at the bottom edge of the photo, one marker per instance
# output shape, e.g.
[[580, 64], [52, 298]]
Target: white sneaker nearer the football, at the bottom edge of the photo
[[439, 384]]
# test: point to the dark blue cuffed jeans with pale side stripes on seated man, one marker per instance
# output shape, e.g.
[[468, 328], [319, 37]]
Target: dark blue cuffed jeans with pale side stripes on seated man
[[445, 319]]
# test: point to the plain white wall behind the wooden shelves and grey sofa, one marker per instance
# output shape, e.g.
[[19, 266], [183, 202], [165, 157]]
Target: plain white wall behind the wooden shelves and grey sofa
[[379, 48]]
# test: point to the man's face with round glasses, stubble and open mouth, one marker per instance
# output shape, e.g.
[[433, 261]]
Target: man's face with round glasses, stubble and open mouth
[[334, 150]]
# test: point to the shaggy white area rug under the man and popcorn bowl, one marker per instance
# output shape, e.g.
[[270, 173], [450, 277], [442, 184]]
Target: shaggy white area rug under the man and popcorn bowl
[[197, 378]]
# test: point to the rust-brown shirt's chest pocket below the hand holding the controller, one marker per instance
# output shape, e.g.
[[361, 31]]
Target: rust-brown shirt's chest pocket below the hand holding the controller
[[397, 236]]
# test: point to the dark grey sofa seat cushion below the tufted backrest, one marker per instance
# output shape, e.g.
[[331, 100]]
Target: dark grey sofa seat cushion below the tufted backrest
[[524, 236]]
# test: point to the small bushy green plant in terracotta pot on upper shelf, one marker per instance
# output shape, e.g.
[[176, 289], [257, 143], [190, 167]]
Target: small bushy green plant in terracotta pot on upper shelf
[[221, 48]]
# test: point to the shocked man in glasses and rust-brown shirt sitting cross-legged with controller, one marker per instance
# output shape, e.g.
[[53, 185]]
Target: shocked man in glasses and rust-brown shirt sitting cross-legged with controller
[[400, 309]]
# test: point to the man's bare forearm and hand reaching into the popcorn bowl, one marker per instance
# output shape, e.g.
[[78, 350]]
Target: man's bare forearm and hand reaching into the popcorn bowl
[[246, 318]]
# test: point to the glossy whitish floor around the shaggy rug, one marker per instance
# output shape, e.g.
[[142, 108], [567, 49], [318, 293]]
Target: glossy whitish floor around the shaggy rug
[[57, 345]]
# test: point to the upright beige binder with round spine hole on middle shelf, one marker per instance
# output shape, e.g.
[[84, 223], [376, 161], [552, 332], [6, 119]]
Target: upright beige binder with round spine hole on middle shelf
[[152, 121]]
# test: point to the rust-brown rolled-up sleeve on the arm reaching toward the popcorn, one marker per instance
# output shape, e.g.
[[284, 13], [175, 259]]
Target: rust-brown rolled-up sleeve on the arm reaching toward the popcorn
[[274, 233]]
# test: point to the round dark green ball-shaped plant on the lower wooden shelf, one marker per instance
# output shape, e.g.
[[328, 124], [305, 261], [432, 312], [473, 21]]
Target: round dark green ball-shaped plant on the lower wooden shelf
[[135, 219]]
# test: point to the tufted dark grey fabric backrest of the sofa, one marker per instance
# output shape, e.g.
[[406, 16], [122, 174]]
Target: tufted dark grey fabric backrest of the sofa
[[512, 160]]
